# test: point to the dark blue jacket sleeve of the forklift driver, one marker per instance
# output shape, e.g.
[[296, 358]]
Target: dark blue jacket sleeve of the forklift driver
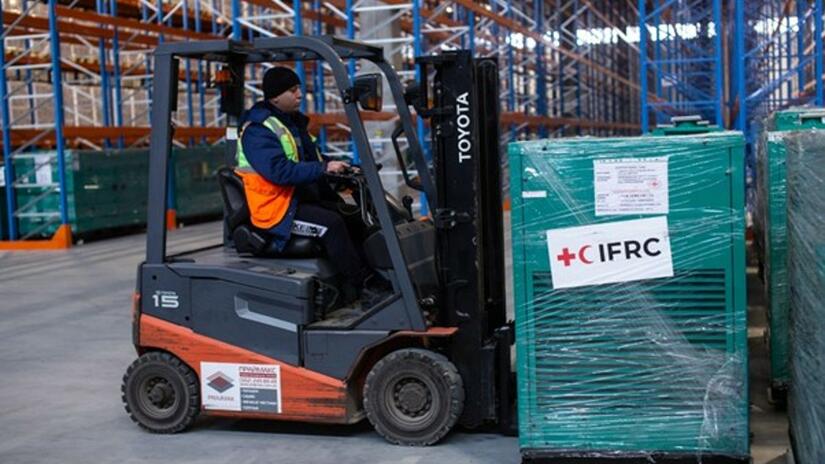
[[264, 152]]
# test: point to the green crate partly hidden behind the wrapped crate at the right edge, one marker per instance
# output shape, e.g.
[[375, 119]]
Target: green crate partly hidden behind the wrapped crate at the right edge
[[770, 229]]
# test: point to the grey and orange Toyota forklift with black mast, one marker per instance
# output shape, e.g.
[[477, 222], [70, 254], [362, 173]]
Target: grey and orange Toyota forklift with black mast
[[243, 330]]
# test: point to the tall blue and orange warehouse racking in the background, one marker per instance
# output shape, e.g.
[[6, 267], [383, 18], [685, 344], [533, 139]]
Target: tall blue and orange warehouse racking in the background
[[568, 67]]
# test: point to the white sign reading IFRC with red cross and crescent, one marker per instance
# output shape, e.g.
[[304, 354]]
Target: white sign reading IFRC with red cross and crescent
[[612, 252]]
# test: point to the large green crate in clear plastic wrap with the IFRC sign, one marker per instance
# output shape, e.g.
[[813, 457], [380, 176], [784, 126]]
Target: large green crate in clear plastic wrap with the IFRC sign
[[629, 285]]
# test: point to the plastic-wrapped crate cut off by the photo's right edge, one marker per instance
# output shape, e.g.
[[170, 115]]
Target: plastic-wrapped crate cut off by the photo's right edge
[[806, 278]]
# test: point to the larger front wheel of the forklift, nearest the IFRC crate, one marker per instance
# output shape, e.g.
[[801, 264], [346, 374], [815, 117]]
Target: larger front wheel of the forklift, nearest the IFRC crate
[[413, 397]]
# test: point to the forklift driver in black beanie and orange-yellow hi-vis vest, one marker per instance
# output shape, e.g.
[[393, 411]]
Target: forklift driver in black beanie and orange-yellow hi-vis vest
[[282, 170]]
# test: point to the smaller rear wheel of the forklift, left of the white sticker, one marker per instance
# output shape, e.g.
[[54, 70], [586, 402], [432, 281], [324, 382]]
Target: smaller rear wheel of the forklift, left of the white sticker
[[161, 393]]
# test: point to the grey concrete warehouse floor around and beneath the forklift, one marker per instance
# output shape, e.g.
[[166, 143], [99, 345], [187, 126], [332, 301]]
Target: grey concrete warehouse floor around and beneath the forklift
[[65, 343]]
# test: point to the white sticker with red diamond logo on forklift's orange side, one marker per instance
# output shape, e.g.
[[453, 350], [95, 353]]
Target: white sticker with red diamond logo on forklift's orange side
[[241, 387]]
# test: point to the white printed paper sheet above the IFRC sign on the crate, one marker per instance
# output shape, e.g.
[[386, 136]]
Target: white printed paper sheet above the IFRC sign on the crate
[[626, 186]]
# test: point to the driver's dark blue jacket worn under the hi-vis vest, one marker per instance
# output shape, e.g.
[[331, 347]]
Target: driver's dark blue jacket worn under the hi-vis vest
[[264, 152]]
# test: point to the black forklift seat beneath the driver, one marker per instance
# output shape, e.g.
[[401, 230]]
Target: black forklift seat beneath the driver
[[250, 239]]
